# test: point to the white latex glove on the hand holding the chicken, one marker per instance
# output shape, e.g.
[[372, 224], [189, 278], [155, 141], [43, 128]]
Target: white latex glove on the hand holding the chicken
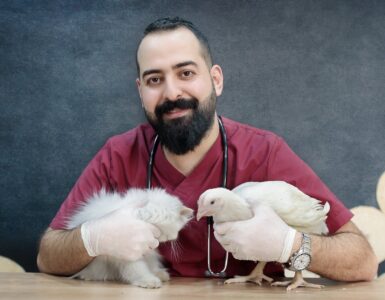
[[264, 237]]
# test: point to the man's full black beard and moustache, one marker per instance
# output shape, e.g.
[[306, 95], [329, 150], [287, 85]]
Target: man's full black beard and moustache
[[183, 134]]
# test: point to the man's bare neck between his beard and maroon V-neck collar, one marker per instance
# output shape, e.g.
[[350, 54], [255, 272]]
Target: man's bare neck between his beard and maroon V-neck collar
[[186, 163]]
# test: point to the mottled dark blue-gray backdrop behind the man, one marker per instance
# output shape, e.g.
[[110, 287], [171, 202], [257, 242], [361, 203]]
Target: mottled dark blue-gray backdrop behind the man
[[311, 71]]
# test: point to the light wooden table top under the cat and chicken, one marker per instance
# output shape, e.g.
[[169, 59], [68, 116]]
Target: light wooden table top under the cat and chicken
[[28, 286]]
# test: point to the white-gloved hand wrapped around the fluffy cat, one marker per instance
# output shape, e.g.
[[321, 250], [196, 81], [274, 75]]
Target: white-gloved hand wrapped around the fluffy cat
[[119, 234]]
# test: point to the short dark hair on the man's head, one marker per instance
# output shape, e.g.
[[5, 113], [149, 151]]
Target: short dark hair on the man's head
[[168, 24]]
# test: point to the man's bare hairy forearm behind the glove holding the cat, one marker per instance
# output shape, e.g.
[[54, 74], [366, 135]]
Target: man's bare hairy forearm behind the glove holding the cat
[[62, 252]]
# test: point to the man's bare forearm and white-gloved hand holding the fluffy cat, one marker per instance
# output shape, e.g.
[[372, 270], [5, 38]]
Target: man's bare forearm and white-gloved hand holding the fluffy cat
[[118, 234]]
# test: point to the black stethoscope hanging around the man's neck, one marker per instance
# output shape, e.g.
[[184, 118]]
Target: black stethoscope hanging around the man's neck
[[209, 272]]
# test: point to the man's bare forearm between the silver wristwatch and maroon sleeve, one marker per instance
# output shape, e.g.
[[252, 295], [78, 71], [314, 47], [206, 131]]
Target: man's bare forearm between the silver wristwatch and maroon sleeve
[[344, 256]]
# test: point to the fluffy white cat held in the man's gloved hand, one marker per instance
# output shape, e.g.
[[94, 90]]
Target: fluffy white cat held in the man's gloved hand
[[154, 206]]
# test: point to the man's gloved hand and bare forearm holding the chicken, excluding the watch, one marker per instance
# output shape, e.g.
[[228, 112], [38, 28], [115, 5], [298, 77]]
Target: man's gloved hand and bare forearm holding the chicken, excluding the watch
[[345, 255]]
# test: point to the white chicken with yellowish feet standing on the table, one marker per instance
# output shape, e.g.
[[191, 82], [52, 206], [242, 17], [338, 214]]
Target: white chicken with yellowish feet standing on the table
[[298, 210]]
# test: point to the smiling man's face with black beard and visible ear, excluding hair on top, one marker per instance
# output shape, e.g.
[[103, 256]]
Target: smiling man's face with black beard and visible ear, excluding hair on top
[[177, 88]]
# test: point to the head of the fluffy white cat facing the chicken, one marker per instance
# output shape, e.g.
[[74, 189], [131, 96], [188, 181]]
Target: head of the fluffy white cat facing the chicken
[[166, 212]]
